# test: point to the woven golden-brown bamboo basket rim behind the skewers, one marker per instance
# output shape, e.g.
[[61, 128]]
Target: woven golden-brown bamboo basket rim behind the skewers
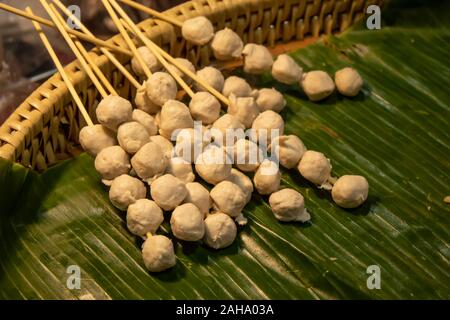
[[44, 128]]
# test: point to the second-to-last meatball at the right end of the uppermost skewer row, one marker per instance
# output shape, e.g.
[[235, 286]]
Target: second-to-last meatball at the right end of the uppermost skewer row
[[317, 85]]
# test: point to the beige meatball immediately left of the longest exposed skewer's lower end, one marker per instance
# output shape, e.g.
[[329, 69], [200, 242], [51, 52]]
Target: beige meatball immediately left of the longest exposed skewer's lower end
[[204, 107]]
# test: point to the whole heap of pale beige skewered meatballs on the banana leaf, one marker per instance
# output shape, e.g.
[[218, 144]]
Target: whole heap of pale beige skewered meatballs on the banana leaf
[[147, 155]]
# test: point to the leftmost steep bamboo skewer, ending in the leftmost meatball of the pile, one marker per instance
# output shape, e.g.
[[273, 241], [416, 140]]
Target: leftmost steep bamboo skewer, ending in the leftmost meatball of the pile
[[61, 70]]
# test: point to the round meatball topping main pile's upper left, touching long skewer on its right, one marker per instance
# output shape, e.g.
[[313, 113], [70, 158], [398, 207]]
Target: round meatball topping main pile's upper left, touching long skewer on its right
[[160, 88]]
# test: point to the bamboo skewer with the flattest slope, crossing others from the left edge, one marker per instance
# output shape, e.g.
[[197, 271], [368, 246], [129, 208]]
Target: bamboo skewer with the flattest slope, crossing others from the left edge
[[78, 34]]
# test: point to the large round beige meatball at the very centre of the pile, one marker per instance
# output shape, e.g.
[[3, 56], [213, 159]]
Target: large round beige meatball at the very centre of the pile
[[213, 165]]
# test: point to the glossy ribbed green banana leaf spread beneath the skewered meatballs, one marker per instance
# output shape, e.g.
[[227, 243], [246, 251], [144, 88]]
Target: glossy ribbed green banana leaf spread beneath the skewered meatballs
[[396, 133]]
